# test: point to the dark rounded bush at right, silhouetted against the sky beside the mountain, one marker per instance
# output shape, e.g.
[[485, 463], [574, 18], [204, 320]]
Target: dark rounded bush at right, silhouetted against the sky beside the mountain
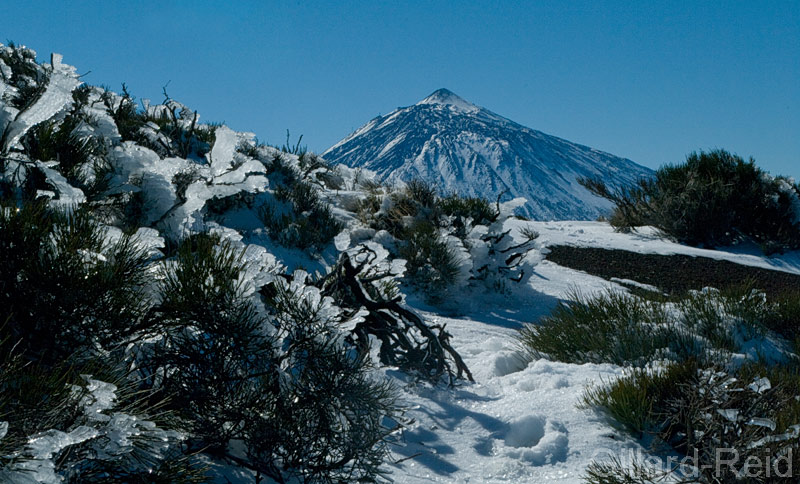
[[714, 198]]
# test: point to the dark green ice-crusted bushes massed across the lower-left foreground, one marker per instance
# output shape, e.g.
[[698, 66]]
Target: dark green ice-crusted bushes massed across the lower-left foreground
[[202, 345]]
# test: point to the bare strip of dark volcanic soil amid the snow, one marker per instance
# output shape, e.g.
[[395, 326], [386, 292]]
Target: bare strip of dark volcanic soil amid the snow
[[673, 274]]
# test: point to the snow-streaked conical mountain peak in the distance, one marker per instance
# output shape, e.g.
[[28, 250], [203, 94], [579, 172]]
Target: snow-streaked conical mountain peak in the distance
[[468, 149]]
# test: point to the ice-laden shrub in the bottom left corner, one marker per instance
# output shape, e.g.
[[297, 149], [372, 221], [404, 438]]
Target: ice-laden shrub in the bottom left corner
[[60, 424]]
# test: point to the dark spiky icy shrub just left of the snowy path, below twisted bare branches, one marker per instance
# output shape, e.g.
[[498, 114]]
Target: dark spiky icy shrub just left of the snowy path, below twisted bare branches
[[327, 421]]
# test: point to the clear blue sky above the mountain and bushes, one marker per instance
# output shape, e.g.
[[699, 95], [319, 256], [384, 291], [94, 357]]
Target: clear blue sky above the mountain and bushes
[[650, 80]]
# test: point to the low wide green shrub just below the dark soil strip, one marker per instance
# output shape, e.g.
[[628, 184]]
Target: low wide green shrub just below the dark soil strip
[[708, 325]]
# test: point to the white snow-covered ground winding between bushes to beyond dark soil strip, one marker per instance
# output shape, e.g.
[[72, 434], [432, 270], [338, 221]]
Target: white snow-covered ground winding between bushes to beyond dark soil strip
[[520, 421]]
